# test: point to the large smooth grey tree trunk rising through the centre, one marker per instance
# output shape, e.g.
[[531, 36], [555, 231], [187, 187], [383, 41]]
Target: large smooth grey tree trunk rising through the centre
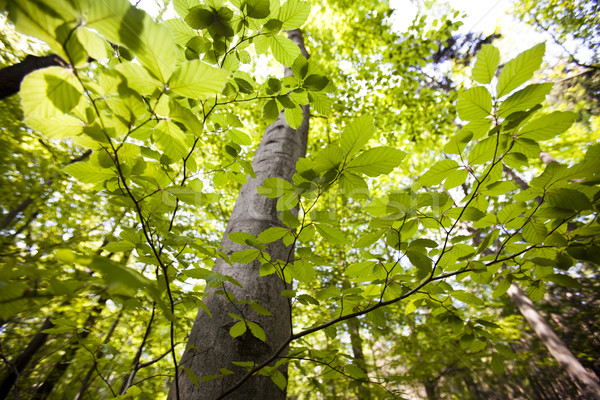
[[210, 346]]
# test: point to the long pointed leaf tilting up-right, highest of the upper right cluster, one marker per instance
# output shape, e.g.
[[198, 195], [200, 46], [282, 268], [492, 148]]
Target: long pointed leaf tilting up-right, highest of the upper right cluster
[[520, 69]]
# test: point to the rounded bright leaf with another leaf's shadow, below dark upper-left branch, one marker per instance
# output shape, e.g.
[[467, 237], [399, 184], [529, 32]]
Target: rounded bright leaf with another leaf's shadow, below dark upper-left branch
[[50, 92]]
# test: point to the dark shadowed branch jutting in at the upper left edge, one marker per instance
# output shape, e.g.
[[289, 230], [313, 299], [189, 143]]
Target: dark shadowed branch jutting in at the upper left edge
[[11, 77]]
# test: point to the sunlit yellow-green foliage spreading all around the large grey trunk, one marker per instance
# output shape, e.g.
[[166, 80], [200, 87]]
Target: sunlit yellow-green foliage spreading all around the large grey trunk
[[163, 108]]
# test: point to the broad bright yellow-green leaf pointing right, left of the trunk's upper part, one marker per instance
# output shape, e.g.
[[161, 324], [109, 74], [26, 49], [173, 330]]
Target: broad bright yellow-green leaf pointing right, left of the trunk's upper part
[[196, 79]]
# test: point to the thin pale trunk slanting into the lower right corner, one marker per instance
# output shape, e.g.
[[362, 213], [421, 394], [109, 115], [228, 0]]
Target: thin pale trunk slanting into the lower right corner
[[588, 386]]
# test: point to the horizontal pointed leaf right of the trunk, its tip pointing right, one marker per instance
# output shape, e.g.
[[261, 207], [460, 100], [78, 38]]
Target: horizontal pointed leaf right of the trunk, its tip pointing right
[[376, 161]]
